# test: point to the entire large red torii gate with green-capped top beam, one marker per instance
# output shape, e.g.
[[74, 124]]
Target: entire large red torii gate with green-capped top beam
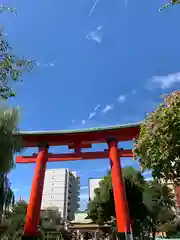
[[77, 140]]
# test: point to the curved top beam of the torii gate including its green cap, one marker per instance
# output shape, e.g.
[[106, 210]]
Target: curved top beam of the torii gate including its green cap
[[85, 137]]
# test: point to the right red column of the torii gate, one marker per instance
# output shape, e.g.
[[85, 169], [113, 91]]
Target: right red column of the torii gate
[[121, 205]]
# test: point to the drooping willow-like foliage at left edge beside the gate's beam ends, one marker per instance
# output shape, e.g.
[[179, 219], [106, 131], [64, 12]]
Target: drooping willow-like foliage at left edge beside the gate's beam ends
[[9, 144]]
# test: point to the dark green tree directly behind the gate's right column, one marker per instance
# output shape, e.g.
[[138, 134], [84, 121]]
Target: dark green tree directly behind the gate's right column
[[101, 209]]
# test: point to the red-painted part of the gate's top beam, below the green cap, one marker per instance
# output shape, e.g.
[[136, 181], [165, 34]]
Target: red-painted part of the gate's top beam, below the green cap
[[58, 139]]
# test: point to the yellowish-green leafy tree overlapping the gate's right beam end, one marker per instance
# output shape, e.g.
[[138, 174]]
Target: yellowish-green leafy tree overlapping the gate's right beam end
[[158, 145]]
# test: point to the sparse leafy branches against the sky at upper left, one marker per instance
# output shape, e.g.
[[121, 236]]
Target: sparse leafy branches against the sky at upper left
[[11, 66]]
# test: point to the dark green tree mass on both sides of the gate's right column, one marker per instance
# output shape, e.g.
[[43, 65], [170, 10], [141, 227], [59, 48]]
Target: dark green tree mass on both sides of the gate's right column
[[150, 203]]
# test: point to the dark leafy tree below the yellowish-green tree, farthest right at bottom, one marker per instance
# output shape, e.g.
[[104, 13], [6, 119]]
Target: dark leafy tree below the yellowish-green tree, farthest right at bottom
[[160, 204]]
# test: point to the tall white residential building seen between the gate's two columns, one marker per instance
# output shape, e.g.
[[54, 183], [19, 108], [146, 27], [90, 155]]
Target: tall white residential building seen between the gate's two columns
[[61, 190]]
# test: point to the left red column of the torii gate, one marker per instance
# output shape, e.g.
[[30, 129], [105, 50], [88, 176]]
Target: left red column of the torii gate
[[34, 206]]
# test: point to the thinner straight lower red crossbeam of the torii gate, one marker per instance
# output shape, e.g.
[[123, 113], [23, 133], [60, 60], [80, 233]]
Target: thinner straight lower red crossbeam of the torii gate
[[73, 156]]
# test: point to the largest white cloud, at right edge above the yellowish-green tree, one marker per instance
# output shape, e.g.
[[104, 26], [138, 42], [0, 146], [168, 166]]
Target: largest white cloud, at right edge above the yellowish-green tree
[[164, 82]]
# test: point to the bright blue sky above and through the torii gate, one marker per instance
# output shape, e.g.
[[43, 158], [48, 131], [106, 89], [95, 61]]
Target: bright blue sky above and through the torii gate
[[101, 67]]
